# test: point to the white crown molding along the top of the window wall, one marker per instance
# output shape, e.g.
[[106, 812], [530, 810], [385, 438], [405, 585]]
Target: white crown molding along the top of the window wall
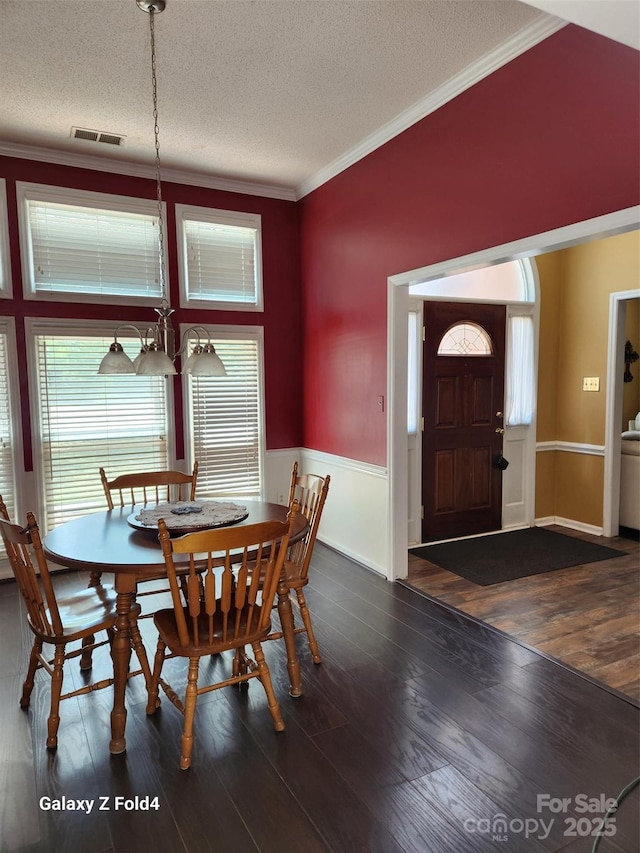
[[139, 170]]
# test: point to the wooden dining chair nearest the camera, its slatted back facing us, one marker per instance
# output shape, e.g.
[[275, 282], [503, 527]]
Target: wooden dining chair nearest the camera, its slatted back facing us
[[228, 607]]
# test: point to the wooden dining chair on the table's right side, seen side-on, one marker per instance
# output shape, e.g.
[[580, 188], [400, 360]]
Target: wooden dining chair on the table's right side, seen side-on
[[310, 492]]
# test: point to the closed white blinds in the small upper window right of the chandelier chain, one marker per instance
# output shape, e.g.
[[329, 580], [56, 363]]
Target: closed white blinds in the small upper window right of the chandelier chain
[[221, 261]]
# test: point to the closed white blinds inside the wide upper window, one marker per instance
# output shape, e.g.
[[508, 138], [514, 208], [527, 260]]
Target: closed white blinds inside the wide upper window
[[77, 249]]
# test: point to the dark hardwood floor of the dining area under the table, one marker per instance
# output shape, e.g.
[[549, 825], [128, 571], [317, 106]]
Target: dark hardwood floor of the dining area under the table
[[422, 730]]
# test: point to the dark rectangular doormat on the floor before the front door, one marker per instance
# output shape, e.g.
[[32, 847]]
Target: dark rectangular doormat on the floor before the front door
[[502, 557]]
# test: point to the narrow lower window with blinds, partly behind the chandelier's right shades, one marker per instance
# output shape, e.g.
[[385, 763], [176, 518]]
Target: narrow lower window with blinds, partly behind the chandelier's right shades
[[225, 417]]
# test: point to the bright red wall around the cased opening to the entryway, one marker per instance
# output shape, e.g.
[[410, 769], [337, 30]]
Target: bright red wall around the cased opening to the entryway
[[550, 139]]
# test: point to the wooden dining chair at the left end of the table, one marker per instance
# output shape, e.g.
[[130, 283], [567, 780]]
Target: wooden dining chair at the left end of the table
[[58, 620]]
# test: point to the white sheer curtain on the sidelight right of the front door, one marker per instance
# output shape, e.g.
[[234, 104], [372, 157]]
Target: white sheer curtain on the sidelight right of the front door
[[520, 375]]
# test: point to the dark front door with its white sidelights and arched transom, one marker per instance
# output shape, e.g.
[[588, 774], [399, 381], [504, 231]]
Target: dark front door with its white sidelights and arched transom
[[459, 484]]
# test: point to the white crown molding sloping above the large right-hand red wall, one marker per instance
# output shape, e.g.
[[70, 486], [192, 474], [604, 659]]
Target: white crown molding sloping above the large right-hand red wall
[[523, 40]]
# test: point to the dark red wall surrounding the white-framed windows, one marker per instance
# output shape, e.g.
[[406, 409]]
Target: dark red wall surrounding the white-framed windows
[[281, 283]]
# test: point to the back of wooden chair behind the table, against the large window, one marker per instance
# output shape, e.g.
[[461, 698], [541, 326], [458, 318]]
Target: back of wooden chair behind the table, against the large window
[[150, 487]]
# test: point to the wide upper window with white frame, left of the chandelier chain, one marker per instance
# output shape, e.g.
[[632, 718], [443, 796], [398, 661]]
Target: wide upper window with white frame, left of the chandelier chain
[[83, 246]]
